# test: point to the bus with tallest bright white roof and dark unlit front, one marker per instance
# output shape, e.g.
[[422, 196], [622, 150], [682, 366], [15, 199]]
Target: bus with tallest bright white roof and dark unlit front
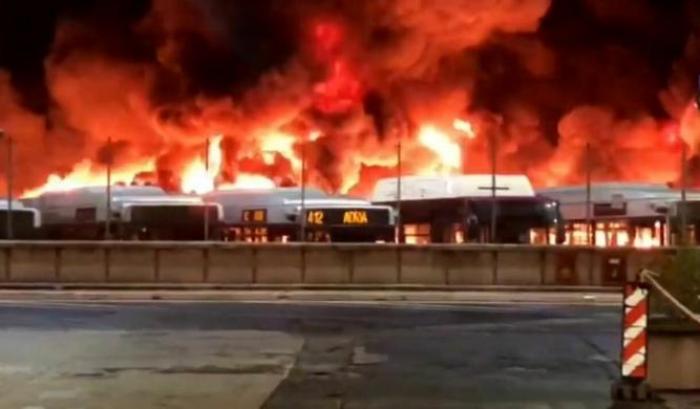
[[458, 209]]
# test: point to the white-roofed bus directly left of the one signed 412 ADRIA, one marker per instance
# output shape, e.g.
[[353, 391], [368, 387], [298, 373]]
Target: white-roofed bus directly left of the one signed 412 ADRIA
[[138, 213]]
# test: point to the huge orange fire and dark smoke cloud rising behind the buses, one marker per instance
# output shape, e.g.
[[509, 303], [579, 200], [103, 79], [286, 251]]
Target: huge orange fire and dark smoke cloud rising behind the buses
[[204, 95]]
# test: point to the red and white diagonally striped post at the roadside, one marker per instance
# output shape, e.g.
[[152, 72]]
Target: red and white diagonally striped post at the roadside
[[634, 338]]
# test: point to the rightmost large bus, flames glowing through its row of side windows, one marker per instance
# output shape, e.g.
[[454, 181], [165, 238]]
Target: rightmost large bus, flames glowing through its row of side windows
[[626, 214]]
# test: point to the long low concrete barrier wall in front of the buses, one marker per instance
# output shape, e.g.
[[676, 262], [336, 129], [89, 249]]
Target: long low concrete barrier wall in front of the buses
[[366, 264]]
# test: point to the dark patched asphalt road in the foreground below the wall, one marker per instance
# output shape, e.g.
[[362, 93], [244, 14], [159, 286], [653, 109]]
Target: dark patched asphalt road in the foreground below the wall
[[300, 355]]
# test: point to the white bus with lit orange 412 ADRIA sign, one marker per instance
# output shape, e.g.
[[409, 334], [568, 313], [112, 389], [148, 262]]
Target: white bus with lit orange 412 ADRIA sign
[[275, 215]]
